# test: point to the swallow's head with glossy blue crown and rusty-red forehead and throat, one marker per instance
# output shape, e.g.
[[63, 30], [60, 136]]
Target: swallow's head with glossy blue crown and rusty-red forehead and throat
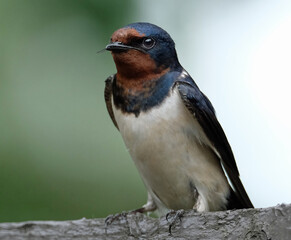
[[142, 50]]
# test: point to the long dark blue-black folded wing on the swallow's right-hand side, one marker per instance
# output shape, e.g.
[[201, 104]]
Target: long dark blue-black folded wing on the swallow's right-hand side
[[199, 105]]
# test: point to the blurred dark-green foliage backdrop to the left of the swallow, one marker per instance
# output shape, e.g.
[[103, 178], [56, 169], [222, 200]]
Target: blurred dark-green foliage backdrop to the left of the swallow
[[60, 155]]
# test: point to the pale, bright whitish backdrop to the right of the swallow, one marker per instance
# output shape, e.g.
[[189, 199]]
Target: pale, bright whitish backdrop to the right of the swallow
[[239, 53]]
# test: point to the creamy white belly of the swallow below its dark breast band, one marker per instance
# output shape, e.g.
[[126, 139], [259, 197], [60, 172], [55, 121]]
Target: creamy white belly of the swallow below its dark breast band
[[172, 154]]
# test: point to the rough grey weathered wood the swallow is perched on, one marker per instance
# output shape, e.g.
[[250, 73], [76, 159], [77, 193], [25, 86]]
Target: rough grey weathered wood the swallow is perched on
[[264, 224]]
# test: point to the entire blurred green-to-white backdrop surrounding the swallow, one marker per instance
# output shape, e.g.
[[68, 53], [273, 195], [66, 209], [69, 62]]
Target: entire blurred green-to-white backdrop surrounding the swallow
[[61, 156]]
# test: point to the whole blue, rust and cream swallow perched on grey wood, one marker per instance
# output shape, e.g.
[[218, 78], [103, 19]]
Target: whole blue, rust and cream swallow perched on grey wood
[[169, 126]]
